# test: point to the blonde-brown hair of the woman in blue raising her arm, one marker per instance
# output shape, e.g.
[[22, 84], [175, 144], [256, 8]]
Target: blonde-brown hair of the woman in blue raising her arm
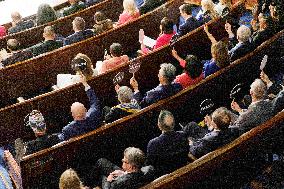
[[219, 52]]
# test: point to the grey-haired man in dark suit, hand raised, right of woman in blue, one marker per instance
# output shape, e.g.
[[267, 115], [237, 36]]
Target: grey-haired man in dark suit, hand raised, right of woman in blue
[[240, 45]]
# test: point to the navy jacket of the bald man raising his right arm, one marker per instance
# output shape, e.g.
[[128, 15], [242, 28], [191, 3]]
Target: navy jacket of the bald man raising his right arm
[[93, 119]]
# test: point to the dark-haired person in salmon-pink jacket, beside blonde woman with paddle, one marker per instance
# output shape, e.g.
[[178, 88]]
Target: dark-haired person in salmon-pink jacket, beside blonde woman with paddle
[[114, 59]]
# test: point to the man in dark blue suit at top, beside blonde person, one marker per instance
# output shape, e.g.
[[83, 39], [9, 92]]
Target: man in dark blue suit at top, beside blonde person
[[190, 22]]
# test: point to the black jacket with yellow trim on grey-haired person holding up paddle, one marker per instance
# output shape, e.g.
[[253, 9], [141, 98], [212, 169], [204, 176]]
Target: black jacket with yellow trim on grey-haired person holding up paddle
[[121, 110]]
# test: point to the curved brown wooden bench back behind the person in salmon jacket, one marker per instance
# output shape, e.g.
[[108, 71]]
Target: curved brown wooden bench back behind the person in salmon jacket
[[41, 72]]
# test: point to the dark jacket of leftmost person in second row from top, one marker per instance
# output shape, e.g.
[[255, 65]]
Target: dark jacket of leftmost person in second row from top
[[17, 57]]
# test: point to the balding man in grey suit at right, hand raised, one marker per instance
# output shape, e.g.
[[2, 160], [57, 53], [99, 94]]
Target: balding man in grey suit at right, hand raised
[[259, 111]]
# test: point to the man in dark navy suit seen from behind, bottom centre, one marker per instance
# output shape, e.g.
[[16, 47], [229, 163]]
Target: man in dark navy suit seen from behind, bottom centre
[[169, 151]]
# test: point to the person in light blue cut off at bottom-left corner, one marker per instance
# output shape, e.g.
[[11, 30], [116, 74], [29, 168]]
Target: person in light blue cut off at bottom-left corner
[[10, 172]]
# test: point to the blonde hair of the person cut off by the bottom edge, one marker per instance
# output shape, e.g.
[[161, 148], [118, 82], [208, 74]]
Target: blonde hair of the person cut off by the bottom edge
[[70, 180]]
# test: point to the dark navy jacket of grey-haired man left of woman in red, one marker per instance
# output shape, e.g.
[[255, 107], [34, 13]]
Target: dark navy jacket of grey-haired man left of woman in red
[[156, 94]]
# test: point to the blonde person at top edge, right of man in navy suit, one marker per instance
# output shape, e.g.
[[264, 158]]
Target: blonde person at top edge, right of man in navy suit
[[207, 12]]
